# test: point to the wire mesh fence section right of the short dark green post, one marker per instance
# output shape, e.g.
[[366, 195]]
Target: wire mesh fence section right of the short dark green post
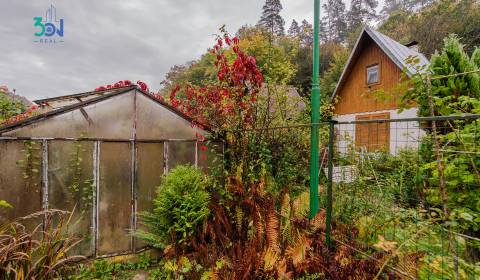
[[409, 188]]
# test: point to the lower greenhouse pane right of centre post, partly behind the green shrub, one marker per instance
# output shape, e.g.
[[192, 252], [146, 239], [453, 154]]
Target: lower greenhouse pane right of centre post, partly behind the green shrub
[[150, 169]]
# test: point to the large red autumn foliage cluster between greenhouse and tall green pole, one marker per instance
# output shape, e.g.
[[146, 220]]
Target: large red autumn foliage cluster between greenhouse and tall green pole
[[229, 101]]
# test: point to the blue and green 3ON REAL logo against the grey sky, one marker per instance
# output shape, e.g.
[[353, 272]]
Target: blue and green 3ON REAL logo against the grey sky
[[49, 28]]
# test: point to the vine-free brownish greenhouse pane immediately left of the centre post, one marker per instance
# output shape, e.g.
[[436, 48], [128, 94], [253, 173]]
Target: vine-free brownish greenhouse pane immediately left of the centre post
[[114, 207]]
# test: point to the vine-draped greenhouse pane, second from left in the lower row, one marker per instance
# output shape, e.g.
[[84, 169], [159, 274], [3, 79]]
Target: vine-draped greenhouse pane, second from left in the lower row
[[71, 187]]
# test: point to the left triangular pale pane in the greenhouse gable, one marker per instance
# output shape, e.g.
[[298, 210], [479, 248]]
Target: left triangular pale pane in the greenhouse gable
[[111, 118]]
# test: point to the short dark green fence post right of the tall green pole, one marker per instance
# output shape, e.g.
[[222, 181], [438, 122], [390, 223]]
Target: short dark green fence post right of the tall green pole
[[328, 220]]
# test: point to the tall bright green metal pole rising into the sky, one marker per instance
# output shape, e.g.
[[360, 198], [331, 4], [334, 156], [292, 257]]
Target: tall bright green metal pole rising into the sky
[[315, 113]]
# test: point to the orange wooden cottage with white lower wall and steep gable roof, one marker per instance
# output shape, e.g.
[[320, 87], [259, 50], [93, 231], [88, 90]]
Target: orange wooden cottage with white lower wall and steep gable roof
[[375, 69]]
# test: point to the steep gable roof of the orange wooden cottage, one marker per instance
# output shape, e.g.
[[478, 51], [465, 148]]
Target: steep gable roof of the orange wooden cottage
[[397, 52]]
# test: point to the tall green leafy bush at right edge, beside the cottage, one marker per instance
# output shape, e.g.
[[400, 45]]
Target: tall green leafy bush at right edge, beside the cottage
[[454, 90]]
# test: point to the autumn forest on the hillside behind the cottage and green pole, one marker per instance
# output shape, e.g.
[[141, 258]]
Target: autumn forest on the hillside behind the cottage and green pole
[[284, 55]]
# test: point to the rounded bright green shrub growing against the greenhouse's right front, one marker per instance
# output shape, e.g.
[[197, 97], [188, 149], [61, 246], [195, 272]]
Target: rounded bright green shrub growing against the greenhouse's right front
[[180, 207]]
